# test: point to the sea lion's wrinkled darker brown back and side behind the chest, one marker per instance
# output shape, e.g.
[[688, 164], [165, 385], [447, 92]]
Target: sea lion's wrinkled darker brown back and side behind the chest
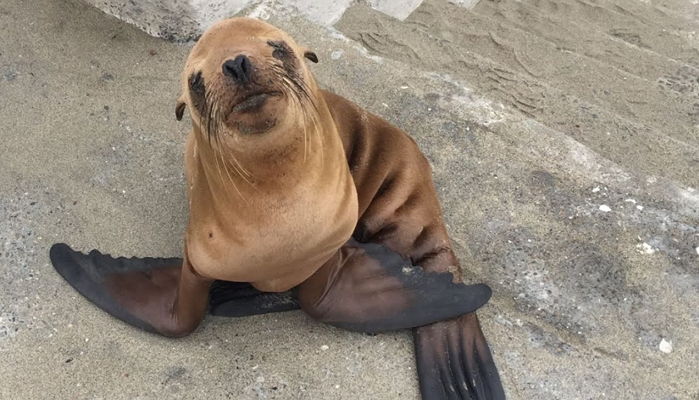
[[398, 204]]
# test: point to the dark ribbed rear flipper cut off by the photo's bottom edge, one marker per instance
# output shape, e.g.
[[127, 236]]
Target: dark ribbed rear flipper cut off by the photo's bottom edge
[[454, 361]]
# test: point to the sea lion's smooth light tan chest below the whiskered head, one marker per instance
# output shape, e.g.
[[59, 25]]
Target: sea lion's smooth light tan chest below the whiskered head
[[274, 237]]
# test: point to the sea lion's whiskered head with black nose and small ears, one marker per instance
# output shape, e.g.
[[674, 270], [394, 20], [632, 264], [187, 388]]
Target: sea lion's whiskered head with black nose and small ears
[[244, 81]]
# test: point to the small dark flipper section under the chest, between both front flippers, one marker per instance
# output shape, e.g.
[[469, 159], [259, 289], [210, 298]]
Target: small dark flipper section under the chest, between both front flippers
[[237, 299]]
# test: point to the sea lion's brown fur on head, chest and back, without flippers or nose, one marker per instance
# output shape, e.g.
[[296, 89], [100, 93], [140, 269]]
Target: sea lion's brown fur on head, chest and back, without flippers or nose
[[238, 207]]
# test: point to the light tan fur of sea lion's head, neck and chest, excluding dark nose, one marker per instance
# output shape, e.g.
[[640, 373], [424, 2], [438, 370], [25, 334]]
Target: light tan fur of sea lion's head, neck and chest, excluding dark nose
[[267, 207]]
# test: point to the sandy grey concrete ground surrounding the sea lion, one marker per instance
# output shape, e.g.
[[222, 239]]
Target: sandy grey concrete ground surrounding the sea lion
[[564, 142]]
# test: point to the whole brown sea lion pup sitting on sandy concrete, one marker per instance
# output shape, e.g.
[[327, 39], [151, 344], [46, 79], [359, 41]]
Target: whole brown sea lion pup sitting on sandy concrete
[[293, 187]]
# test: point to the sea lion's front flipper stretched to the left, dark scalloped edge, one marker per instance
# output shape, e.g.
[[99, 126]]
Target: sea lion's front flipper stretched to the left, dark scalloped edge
[[160, 295]]
